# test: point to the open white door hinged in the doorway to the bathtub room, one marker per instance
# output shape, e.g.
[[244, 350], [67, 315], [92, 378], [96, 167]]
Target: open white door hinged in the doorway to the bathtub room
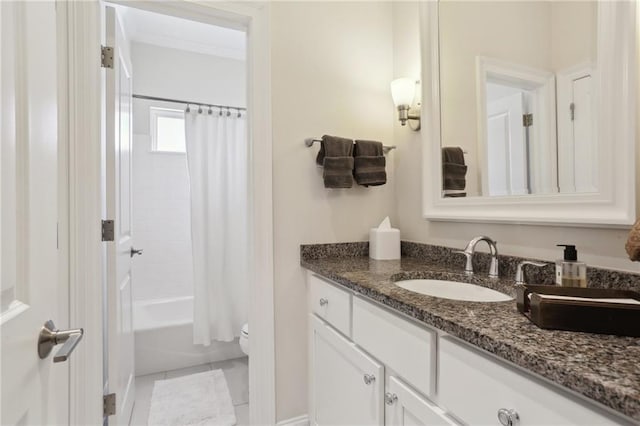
[[119, 252]]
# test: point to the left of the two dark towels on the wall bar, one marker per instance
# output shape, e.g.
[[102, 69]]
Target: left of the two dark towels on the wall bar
[[336, 156]]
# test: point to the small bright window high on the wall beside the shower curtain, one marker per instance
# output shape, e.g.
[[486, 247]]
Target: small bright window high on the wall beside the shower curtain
[[167, 130]]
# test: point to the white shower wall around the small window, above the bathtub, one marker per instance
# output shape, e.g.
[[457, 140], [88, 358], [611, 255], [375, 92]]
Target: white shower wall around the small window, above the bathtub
[[161, 216]]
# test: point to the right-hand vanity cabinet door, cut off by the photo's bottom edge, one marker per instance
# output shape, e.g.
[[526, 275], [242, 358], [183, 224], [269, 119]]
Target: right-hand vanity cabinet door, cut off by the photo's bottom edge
[[406, 407]]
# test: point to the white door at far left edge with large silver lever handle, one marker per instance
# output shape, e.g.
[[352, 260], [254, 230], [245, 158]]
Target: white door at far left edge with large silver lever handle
[[34, 391]]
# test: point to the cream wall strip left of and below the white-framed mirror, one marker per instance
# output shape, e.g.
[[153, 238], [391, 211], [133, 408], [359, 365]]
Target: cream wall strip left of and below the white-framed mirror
[[598, 247]]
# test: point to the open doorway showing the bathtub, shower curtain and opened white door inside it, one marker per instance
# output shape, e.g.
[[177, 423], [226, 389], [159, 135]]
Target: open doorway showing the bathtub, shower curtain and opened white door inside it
[[172, 83]]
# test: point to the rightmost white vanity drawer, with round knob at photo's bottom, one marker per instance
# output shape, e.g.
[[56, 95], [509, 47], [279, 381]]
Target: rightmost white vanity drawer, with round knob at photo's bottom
[[473, 386]]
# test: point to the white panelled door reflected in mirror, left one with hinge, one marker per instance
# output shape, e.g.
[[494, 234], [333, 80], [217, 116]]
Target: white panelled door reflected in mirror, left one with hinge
[[506, 146]]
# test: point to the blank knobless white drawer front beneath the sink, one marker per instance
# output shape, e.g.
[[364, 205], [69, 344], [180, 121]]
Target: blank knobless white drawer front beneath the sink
[[406, 348]]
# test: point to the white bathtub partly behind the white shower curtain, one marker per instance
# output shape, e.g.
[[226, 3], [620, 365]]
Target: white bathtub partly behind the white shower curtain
[[164, 337]]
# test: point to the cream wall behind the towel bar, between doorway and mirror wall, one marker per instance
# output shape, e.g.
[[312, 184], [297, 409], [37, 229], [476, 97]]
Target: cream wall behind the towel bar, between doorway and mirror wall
[[331, 69]]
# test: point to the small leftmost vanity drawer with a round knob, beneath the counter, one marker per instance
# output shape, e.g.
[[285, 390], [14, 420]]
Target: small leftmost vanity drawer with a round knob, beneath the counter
[[330, 303]]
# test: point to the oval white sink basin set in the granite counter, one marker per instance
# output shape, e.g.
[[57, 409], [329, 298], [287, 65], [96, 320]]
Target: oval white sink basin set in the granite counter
[[453, 290]]
